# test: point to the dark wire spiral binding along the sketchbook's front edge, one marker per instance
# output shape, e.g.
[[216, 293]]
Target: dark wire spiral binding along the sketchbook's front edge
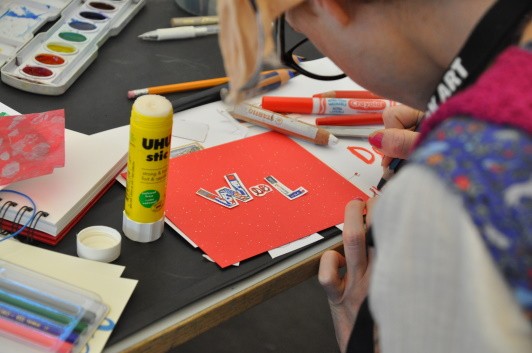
[[8, 227]]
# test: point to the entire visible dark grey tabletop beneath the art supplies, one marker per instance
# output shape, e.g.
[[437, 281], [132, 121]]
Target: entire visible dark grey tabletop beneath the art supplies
[[171, 274]]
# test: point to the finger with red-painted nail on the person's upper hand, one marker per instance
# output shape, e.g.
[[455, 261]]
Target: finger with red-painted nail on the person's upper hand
[[394, 143]]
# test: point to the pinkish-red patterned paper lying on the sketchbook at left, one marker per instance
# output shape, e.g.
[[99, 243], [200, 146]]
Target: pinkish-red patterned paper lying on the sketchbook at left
[[31, 145]]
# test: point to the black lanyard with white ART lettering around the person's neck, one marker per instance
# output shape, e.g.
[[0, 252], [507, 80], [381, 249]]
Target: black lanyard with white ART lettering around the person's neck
[[497, 30]]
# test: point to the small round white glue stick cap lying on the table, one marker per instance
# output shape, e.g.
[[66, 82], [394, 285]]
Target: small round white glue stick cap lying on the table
[[99, 243]]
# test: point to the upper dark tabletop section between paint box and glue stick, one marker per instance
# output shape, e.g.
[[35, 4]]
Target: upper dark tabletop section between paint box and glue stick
[[98, 101]]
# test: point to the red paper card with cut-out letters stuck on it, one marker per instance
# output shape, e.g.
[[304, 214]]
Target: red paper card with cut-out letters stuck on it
[[230, 235]]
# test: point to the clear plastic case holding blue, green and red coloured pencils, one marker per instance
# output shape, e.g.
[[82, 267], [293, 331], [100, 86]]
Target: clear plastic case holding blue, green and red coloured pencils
[[42, 314]]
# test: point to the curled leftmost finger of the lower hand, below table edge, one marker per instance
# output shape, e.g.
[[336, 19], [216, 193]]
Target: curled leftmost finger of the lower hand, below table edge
[[328, 276]]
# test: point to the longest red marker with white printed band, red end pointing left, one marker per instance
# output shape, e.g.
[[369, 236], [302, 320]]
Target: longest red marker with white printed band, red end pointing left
[[333, 106]]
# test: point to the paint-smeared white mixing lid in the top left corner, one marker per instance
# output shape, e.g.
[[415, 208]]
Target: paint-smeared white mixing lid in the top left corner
[[21, 19]]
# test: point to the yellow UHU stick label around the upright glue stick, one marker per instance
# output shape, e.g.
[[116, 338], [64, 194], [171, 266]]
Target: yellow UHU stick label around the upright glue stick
[[147, 170]]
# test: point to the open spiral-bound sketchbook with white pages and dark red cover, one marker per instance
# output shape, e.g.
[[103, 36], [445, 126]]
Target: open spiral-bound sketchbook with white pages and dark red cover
[[92, 162]]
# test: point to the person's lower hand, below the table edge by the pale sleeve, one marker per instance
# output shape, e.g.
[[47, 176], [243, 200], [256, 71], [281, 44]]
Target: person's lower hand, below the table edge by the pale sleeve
[[346, 292]]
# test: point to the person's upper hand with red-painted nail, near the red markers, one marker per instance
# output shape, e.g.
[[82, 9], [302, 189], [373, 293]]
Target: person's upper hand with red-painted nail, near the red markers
[[397, 138]]
